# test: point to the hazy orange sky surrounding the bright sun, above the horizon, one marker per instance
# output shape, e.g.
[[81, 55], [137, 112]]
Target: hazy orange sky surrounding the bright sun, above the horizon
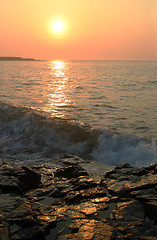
[[93, 29]]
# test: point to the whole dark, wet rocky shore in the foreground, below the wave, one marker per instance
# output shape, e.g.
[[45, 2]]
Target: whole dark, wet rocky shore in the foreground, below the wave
[[63, 200]]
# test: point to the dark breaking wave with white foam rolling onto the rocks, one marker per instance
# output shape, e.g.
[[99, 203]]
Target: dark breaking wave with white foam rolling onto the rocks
[[27, 132]]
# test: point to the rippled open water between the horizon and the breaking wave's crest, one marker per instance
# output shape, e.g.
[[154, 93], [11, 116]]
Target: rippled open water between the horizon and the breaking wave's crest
[[117, 95]]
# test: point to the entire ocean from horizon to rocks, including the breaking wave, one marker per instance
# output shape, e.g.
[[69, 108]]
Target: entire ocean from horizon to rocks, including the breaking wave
[[101, 110]]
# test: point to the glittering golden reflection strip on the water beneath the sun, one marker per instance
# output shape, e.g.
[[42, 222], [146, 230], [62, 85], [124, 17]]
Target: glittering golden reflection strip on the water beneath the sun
[[57, 97]]
